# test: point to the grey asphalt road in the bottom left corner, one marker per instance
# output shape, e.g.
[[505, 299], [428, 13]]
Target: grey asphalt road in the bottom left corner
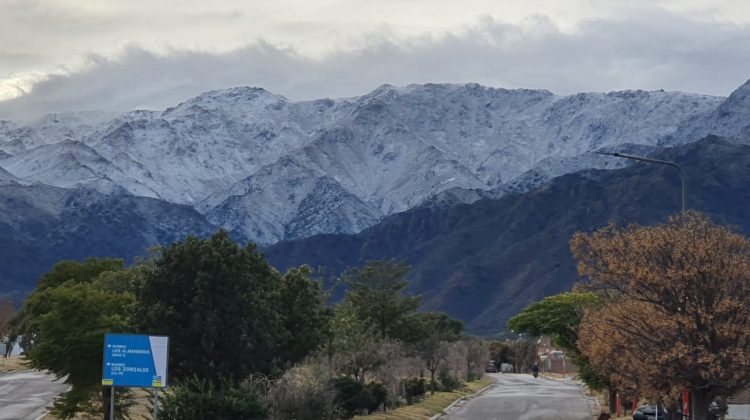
[[24, 395]]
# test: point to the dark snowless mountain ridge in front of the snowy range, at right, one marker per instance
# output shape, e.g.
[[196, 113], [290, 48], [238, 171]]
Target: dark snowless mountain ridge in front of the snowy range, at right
[[482, 262]]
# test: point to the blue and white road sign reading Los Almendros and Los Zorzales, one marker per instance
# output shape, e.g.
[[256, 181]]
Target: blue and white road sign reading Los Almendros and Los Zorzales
[[135, 360]]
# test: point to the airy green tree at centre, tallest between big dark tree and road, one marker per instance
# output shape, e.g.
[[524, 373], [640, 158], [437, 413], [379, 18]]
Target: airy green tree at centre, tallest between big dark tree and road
[[375, 292]]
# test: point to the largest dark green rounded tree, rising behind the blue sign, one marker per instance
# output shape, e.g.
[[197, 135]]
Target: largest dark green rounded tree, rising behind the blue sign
[[215, 300]]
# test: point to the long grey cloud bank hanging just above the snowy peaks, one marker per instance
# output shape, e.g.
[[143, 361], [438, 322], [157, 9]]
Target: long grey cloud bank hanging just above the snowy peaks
[[658, 51]]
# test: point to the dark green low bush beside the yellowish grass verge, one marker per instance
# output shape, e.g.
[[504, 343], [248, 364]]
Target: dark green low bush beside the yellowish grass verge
[[354, 398]]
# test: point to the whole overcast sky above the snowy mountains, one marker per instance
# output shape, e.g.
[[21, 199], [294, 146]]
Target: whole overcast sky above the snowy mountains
[[67, 55]]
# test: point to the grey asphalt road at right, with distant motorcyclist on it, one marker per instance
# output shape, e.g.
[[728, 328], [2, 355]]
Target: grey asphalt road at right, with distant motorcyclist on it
[[522, 397]]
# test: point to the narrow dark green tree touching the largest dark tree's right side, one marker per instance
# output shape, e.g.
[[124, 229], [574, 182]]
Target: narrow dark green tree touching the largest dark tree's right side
[[303, 313]]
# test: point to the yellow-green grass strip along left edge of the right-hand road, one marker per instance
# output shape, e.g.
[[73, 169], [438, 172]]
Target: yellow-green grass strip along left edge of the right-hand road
[[430, 406]]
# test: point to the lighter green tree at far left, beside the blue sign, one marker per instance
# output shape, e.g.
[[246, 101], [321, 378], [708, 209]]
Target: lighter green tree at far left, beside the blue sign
[[67, 316]]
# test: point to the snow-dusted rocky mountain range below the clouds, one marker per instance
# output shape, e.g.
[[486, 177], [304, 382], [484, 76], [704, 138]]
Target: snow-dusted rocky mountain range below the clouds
[[269, 169]]
